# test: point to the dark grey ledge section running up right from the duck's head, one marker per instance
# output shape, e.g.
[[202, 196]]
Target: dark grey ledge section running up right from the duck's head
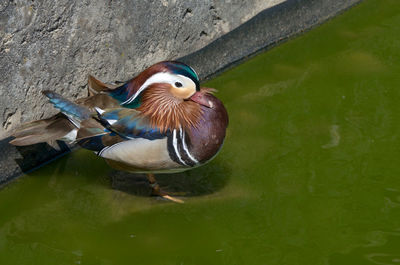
[[267, 29]]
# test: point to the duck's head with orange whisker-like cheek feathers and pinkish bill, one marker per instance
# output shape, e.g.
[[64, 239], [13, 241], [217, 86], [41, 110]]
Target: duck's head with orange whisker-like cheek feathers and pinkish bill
[[169, 94]]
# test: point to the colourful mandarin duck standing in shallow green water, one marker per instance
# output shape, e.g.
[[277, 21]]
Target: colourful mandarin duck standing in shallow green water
[[161, 121]]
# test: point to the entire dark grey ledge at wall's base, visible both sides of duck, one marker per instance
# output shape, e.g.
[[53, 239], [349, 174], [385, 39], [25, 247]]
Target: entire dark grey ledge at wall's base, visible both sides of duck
[[268, 28]]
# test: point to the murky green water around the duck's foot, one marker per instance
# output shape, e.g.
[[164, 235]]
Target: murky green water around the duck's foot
[[309, 174]]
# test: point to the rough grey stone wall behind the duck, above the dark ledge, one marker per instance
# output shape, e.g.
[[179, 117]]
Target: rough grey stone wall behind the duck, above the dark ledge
[[55, 44]]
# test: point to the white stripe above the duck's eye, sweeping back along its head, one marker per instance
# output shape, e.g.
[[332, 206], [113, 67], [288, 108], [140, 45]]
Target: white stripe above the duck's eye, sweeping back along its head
[[163, 77]]
